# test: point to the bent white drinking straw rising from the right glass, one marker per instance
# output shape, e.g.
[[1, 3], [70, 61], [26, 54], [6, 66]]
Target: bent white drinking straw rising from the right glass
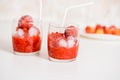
[[75, 6]]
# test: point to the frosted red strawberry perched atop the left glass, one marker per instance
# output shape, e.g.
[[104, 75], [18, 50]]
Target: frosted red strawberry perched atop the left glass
[[25, 21]]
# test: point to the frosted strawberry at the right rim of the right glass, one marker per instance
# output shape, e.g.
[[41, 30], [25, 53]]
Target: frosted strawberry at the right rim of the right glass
[[71, 31]]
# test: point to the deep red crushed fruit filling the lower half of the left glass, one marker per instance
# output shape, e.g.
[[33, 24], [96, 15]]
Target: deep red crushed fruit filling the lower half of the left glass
[[26, 44]]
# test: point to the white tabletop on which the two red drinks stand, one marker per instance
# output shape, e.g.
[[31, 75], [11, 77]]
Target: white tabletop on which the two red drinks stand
[[97, 60]]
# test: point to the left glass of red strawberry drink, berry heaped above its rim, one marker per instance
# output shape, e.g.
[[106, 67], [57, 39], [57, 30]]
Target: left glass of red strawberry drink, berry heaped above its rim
[[26, 35]]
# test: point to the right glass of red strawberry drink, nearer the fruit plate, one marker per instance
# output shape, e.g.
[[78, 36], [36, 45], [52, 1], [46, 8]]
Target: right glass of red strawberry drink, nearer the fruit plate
[[63, 43]]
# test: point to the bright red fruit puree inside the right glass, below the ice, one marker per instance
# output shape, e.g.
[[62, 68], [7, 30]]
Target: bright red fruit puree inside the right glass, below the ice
[[59, 52]]
